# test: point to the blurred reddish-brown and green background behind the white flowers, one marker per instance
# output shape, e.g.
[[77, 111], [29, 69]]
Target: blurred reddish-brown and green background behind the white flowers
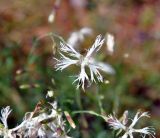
[[27, 65]]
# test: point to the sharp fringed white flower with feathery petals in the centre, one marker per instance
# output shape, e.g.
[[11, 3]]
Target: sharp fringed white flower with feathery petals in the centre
[[75, 58]]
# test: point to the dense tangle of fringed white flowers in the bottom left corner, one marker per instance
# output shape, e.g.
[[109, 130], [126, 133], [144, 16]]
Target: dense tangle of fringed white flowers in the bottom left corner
[[39, 123]]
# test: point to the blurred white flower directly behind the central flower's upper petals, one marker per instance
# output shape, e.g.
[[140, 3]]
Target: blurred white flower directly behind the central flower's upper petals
[[78, 37]]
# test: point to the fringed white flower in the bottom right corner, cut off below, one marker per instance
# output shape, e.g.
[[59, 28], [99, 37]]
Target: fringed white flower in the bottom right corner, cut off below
[[118, 124]]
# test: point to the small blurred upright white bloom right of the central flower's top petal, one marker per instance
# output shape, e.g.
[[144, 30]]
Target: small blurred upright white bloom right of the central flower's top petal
[[110, 42]]
